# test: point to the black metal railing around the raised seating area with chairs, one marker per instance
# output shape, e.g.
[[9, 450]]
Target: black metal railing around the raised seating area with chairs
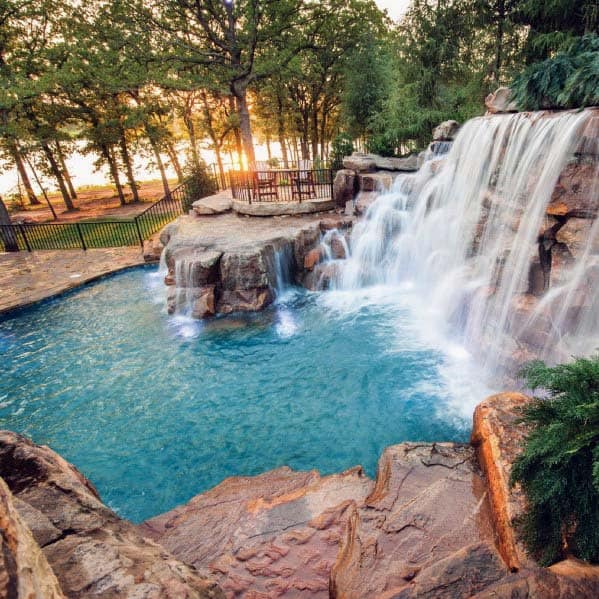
[[282, 185]]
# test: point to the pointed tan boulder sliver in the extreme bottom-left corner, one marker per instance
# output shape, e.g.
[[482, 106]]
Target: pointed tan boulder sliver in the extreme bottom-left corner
[[24, 570]]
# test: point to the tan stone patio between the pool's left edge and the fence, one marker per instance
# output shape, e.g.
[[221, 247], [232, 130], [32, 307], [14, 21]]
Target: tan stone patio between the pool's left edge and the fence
[[26, 278]]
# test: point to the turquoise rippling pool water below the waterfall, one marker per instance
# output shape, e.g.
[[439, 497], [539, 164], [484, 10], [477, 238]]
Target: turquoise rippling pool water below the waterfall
[[155, 409]]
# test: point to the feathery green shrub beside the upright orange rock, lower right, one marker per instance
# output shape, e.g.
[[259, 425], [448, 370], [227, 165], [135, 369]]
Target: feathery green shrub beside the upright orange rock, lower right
[[559, 466]]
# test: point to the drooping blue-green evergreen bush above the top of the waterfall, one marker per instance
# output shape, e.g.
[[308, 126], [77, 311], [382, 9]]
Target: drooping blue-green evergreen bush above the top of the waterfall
[[570, 79]]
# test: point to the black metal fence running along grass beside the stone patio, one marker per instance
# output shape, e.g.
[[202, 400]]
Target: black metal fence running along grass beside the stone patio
[[103, 233]]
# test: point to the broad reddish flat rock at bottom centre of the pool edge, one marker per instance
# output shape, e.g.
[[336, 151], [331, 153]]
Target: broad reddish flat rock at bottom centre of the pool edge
[[266, 536]]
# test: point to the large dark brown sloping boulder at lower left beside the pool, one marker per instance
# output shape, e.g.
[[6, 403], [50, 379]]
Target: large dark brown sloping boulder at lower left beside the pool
[[92, 551]]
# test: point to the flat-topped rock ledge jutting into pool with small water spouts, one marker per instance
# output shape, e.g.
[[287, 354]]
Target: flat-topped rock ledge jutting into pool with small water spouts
[[226, 263]]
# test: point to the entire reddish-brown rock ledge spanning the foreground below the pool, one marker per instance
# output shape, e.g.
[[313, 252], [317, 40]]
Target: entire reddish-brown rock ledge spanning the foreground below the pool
[[433, 524]]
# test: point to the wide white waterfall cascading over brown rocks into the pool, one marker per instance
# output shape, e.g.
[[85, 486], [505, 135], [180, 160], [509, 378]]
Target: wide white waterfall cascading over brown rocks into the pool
[[497, 241]]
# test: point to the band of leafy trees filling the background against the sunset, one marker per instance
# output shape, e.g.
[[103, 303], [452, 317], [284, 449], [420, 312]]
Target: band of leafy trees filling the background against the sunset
[[120, 78]]
